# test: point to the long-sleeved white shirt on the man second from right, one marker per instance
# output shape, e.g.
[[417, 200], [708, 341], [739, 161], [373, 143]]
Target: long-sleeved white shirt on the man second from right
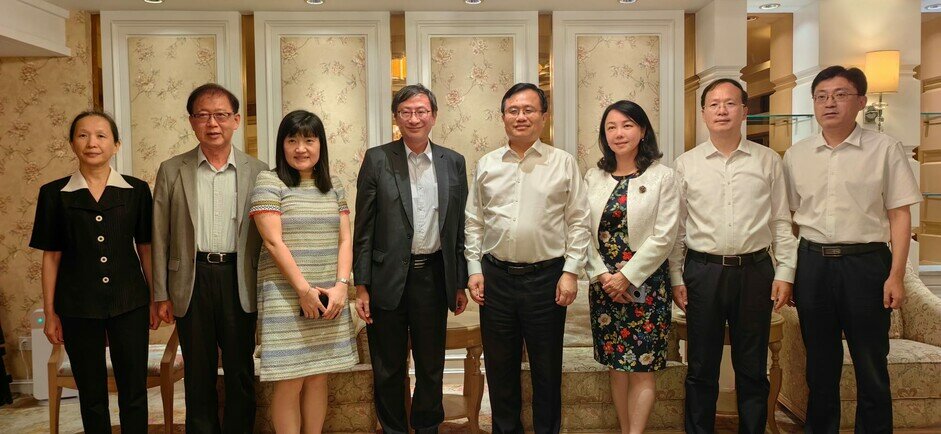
[[733, 206]]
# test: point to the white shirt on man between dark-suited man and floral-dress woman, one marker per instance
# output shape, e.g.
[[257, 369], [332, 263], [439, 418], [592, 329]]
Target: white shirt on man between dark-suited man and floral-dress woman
[[528, 209]]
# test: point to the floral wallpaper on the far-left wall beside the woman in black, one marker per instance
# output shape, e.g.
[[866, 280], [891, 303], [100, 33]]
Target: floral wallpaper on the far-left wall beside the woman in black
[[38, 98]]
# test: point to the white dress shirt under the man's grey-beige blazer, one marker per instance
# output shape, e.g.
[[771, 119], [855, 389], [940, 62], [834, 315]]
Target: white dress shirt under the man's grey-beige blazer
[[217, 200]]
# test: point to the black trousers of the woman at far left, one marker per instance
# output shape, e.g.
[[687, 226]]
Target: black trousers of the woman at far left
[[127, 336]]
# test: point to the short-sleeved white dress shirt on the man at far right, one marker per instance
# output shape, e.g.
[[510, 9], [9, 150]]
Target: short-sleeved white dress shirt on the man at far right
[[842, 194]]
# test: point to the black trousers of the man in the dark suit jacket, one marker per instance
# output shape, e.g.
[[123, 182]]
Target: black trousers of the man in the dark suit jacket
[[422, 316]]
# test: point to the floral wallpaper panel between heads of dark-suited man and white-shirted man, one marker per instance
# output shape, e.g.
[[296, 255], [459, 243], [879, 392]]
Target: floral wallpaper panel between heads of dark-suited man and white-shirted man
[[469, 76]]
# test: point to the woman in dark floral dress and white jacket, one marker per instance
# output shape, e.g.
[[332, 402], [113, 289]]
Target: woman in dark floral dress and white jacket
[[634, 208]]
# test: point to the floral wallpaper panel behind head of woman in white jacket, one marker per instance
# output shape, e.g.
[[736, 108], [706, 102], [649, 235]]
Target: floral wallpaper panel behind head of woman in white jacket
[[612, 68]]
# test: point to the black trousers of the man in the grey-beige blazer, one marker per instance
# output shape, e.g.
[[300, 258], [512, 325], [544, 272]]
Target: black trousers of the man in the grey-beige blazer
[[215, 321]]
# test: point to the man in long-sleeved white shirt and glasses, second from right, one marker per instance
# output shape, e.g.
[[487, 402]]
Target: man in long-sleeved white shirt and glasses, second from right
[[734, 219]]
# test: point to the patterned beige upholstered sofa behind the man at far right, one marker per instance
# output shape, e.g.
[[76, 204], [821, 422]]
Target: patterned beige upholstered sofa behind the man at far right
[[914, 363]]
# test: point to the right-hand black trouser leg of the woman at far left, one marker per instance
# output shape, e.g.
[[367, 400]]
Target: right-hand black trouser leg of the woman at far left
[[128, 336]]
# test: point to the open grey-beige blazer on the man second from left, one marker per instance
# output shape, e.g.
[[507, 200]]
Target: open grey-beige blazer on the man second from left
[[174, 234]]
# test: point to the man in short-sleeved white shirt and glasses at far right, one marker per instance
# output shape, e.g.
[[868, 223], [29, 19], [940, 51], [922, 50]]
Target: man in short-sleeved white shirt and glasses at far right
[[850, 190]]
